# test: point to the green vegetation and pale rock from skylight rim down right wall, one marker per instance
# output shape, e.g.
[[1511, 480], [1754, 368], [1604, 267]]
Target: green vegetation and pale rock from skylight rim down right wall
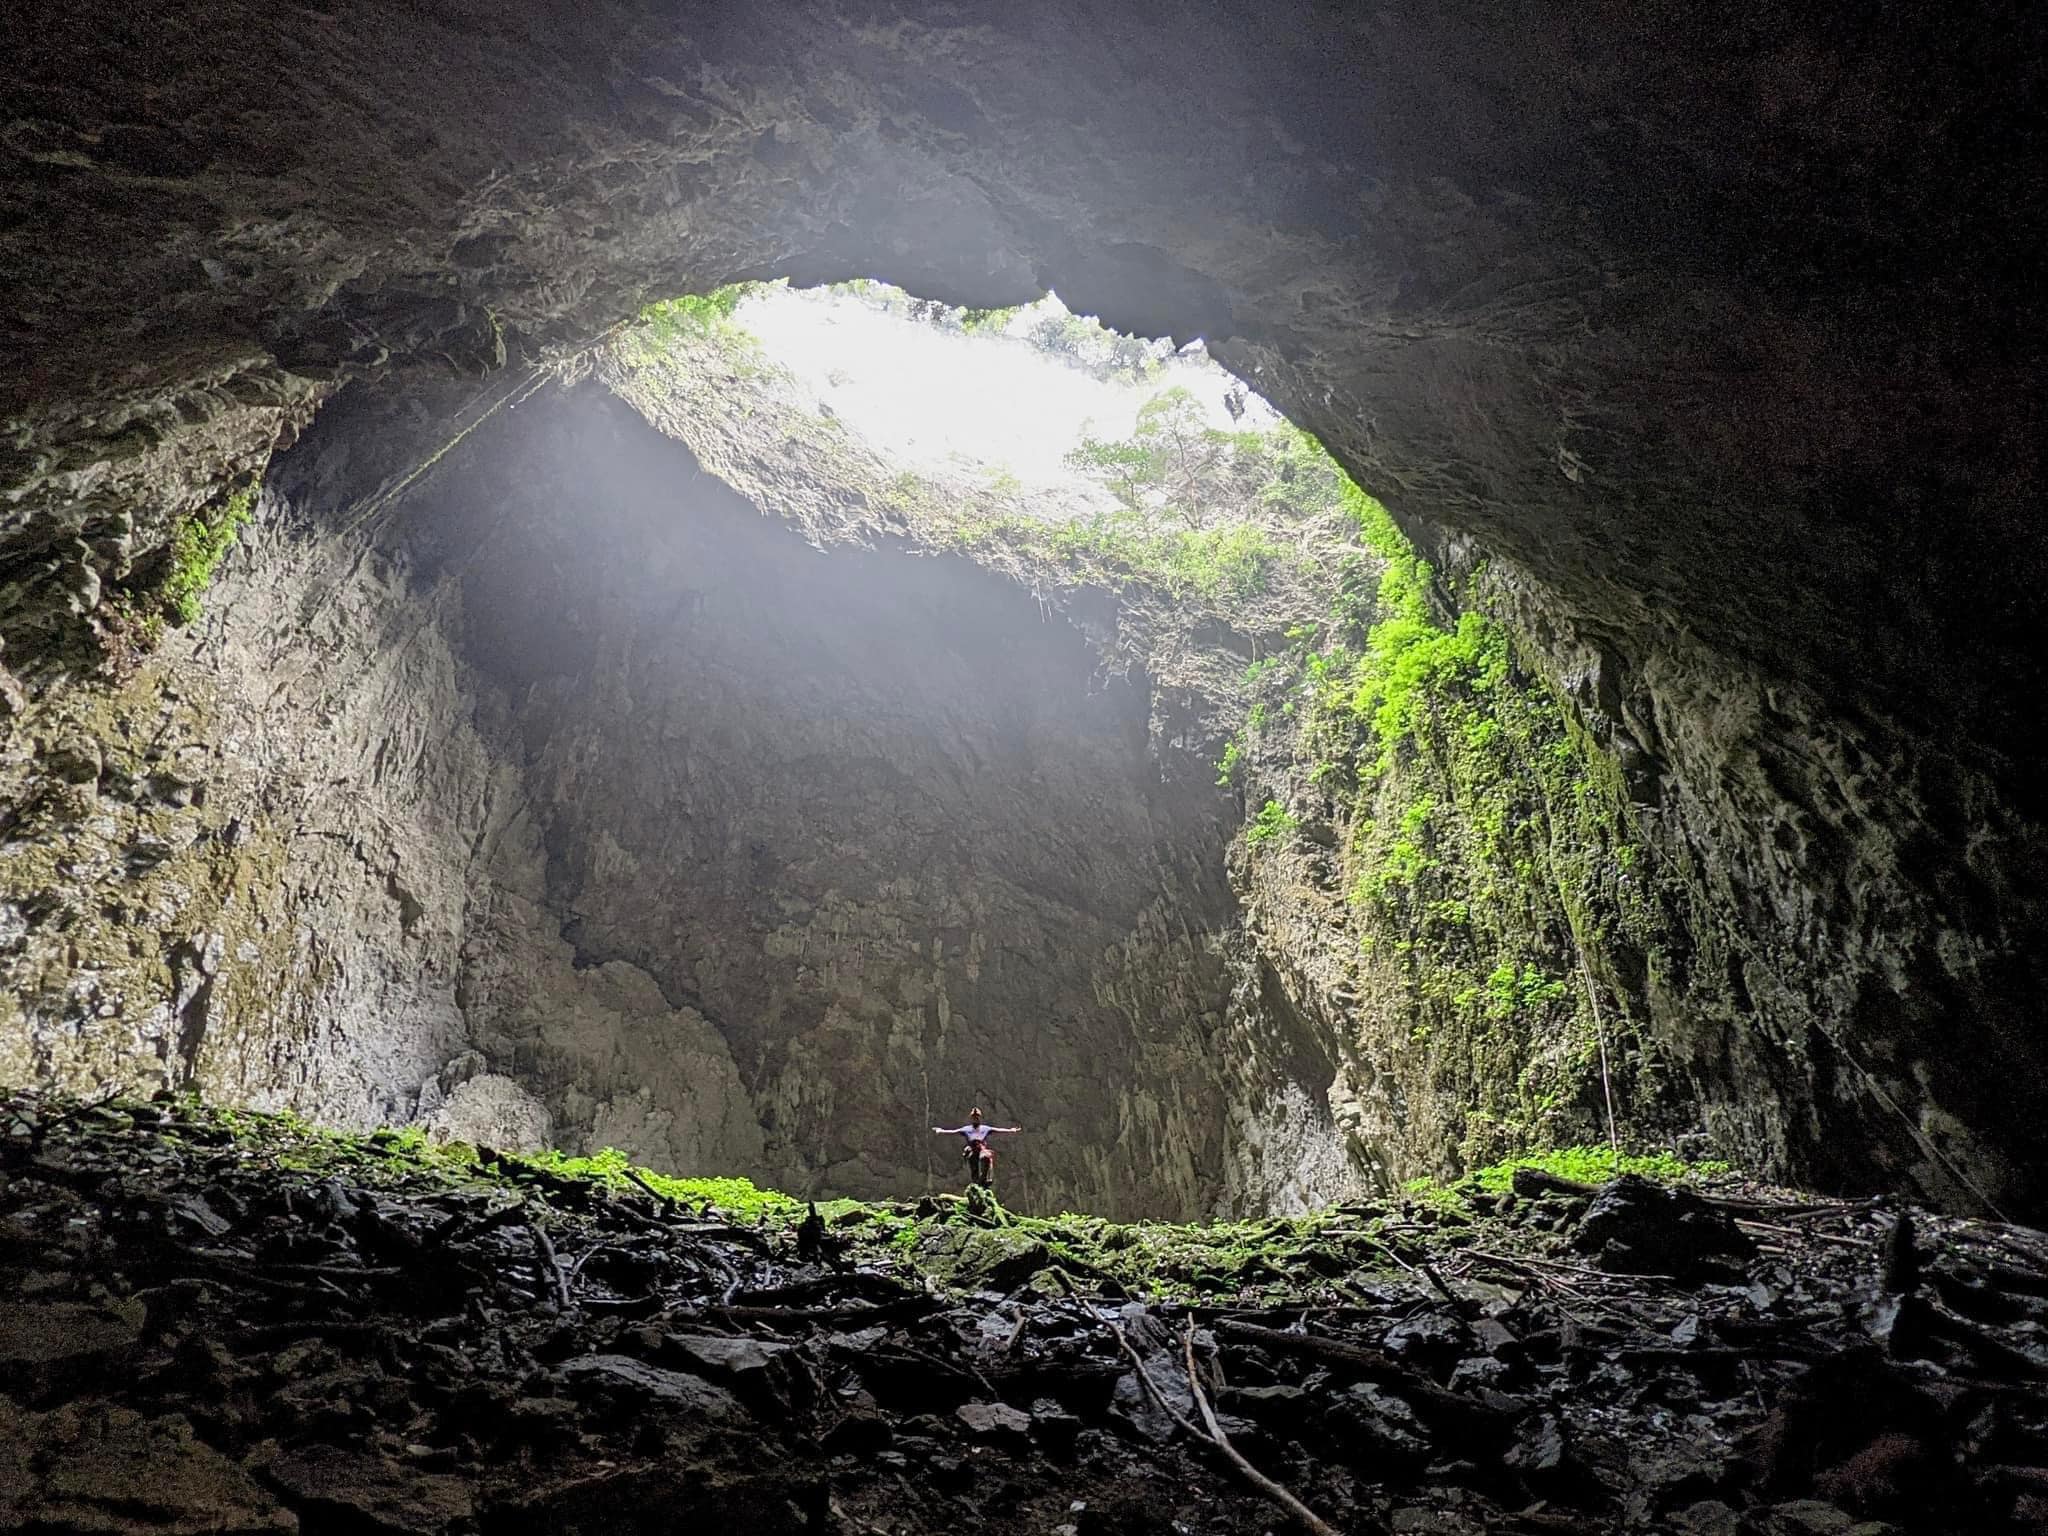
[[1508, 929]]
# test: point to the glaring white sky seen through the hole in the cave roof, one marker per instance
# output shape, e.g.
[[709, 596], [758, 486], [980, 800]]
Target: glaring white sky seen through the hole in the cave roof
[[943, 402]]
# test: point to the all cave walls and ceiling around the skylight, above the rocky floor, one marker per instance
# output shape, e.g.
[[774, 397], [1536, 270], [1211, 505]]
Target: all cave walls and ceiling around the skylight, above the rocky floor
[[413, 720]]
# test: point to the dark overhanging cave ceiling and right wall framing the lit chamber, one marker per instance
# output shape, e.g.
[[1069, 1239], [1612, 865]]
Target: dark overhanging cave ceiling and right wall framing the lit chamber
[[1672, 349]]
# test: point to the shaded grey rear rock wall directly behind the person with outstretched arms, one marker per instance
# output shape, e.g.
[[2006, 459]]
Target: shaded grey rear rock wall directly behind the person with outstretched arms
[[867, 816]]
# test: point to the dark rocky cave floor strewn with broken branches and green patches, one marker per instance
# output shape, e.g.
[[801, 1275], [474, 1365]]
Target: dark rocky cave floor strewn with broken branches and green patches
[[234, 1324]]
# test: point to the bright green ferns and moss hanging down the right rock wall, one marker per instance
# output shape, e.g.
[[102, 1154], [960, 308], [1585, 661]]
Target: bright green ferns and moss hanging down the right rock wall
[[1488, 853]]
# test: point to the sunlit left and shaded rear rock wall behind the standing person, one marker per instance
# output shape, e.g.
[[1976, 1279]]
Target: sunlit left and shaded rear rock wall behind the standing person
[[572, 800]]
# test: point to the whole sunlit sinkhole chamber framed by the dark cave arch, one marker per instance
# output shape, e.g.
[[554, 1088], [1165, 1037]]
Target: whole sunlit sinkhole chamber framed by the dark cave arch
[[816, 714]]
